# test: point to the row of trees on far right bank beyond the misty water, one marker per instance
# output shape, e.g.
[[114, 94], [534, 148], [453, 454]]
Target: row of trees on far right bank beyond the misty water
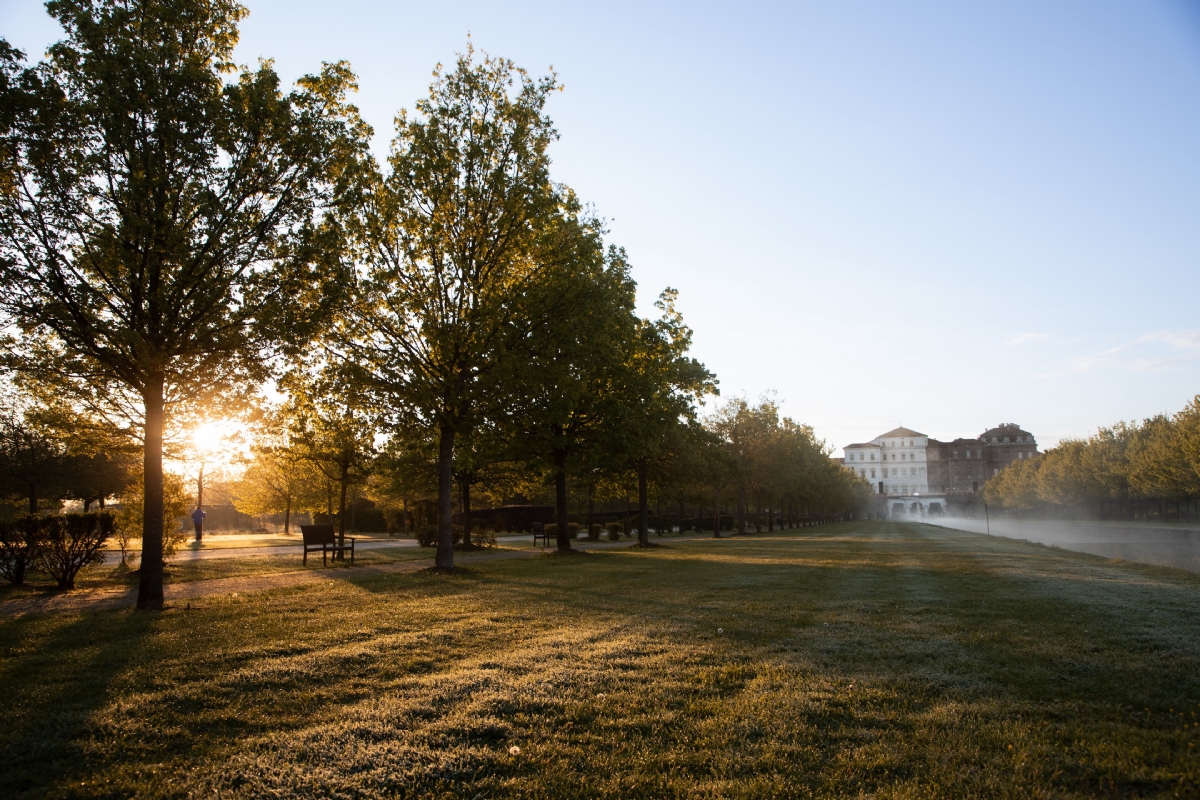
[[1149, 470]]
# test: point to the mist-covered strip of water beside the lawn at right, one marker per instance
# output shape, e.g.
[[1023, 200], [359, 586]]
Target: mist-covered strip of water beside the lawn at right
[[1167, 546]]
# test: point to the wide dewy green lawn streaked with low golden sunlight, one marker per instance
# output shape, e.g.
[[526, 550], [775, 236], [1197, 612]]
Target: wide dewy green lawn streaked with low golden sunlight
[[859, 660]]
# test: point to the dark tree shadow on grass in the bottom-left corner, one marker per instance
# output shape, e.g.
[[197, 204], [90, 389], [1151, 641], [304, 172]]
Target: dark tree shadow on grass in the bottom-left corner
[[57, 675]]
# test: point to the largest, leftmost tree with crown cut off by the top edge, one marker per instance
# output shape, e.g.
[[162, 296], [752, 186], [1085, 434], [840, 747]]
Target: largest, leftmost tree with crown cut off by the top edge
[[147, 207]]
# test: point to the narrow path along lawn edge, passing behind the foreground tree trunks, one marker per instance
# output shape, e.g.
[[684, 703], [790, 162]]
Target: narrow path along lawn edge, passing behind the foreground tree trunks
[[88, 600]]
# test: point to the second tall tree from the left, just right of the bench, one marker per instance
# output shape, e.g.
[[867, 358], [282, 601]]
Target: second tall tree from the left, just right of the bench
[[451, 234]]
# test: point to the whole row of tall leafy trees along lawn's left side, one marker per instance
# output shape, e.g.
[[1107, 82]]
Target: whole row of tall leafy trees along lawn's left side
[[177, 231]]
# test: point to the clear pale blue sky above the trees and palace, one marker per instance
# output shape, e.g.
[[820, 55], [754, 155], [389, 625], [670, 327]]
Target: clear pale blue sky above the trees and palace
[[940, 214]]
